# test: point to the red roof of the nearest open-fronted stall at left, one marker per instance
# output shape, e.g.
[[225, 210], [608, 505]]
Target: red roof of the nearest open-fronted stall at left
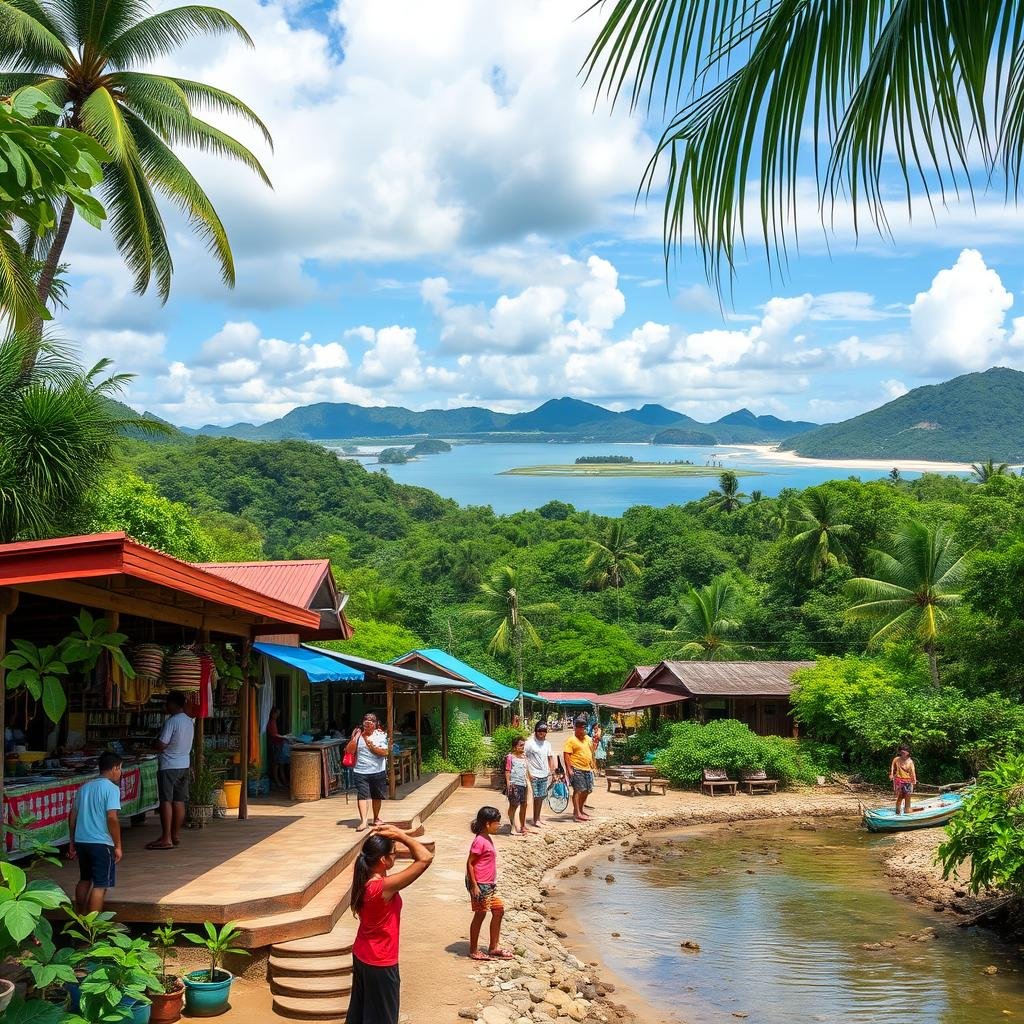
[[99, 556]]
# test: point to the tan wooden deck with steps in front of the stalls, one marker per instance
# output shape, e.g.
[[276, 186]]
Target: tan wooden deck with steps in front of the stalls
[[283, 874]]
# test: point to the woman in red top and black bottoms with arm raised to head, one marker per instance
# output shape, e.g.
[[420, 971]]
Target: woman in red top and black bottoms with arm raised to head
[[376, 902]]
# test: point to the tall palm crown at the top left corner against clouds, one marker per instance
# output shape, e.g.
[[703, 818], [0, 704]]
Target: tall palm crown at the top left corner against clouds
[[83, 55]]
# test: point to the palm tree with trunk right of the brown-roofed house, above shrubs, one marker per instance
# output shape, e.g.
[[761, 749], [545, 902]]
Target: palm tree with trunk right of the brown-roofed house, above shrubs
[[913, 589]]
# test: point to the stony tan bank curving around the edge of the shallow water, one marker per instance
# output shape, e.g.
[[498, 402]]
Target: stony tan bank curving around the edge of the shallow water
[[548, 984]]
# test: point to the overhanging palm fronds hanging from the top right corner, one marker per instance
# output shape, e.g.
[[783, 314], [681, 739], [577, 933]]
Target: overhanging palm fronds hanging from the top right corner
[[775, 87]]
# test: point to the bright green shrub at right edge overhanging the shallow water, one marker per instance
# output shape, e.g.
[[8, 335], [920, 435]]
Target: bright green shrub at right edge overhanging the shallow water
[[990, 830]]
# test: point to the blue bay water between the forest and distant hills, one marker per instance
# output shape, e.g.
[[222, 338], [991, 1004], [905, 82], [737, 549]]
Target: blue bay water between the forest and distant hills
[[471, 475]]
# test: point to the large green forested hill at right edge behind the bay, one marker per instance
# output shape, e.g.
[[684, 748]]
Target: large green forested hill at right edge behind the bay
[[968, 419]]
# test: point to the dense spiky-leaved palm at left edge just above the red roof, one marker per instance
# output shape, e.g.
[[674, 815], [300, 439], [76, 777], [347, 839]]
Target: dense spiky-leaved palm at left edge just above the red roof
[[61, 433]]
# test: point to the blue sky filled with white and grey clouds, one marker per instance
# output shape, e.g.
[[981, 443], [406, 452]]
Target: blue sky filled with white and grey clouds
[[453, 223]]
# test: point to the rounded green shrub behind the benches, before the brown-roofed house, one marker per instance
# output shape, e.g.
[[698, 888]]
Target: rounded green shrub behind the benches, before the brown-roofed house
[[730, 745]]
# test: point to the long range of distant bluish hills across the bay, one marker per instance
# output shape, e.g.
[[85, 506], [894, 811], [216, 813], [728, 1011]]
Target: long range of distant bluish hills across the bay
[[562, 419]]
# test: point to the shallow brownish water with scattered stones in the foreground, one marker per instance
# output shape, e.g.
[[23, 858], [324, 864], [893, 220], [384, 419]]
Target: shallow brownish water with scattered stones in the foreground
[[781, 915]]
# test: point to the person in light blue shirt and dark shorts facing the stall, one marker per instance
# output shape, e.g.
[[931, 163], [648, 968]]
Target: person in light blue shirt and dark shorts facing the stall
[[96, 834]]
